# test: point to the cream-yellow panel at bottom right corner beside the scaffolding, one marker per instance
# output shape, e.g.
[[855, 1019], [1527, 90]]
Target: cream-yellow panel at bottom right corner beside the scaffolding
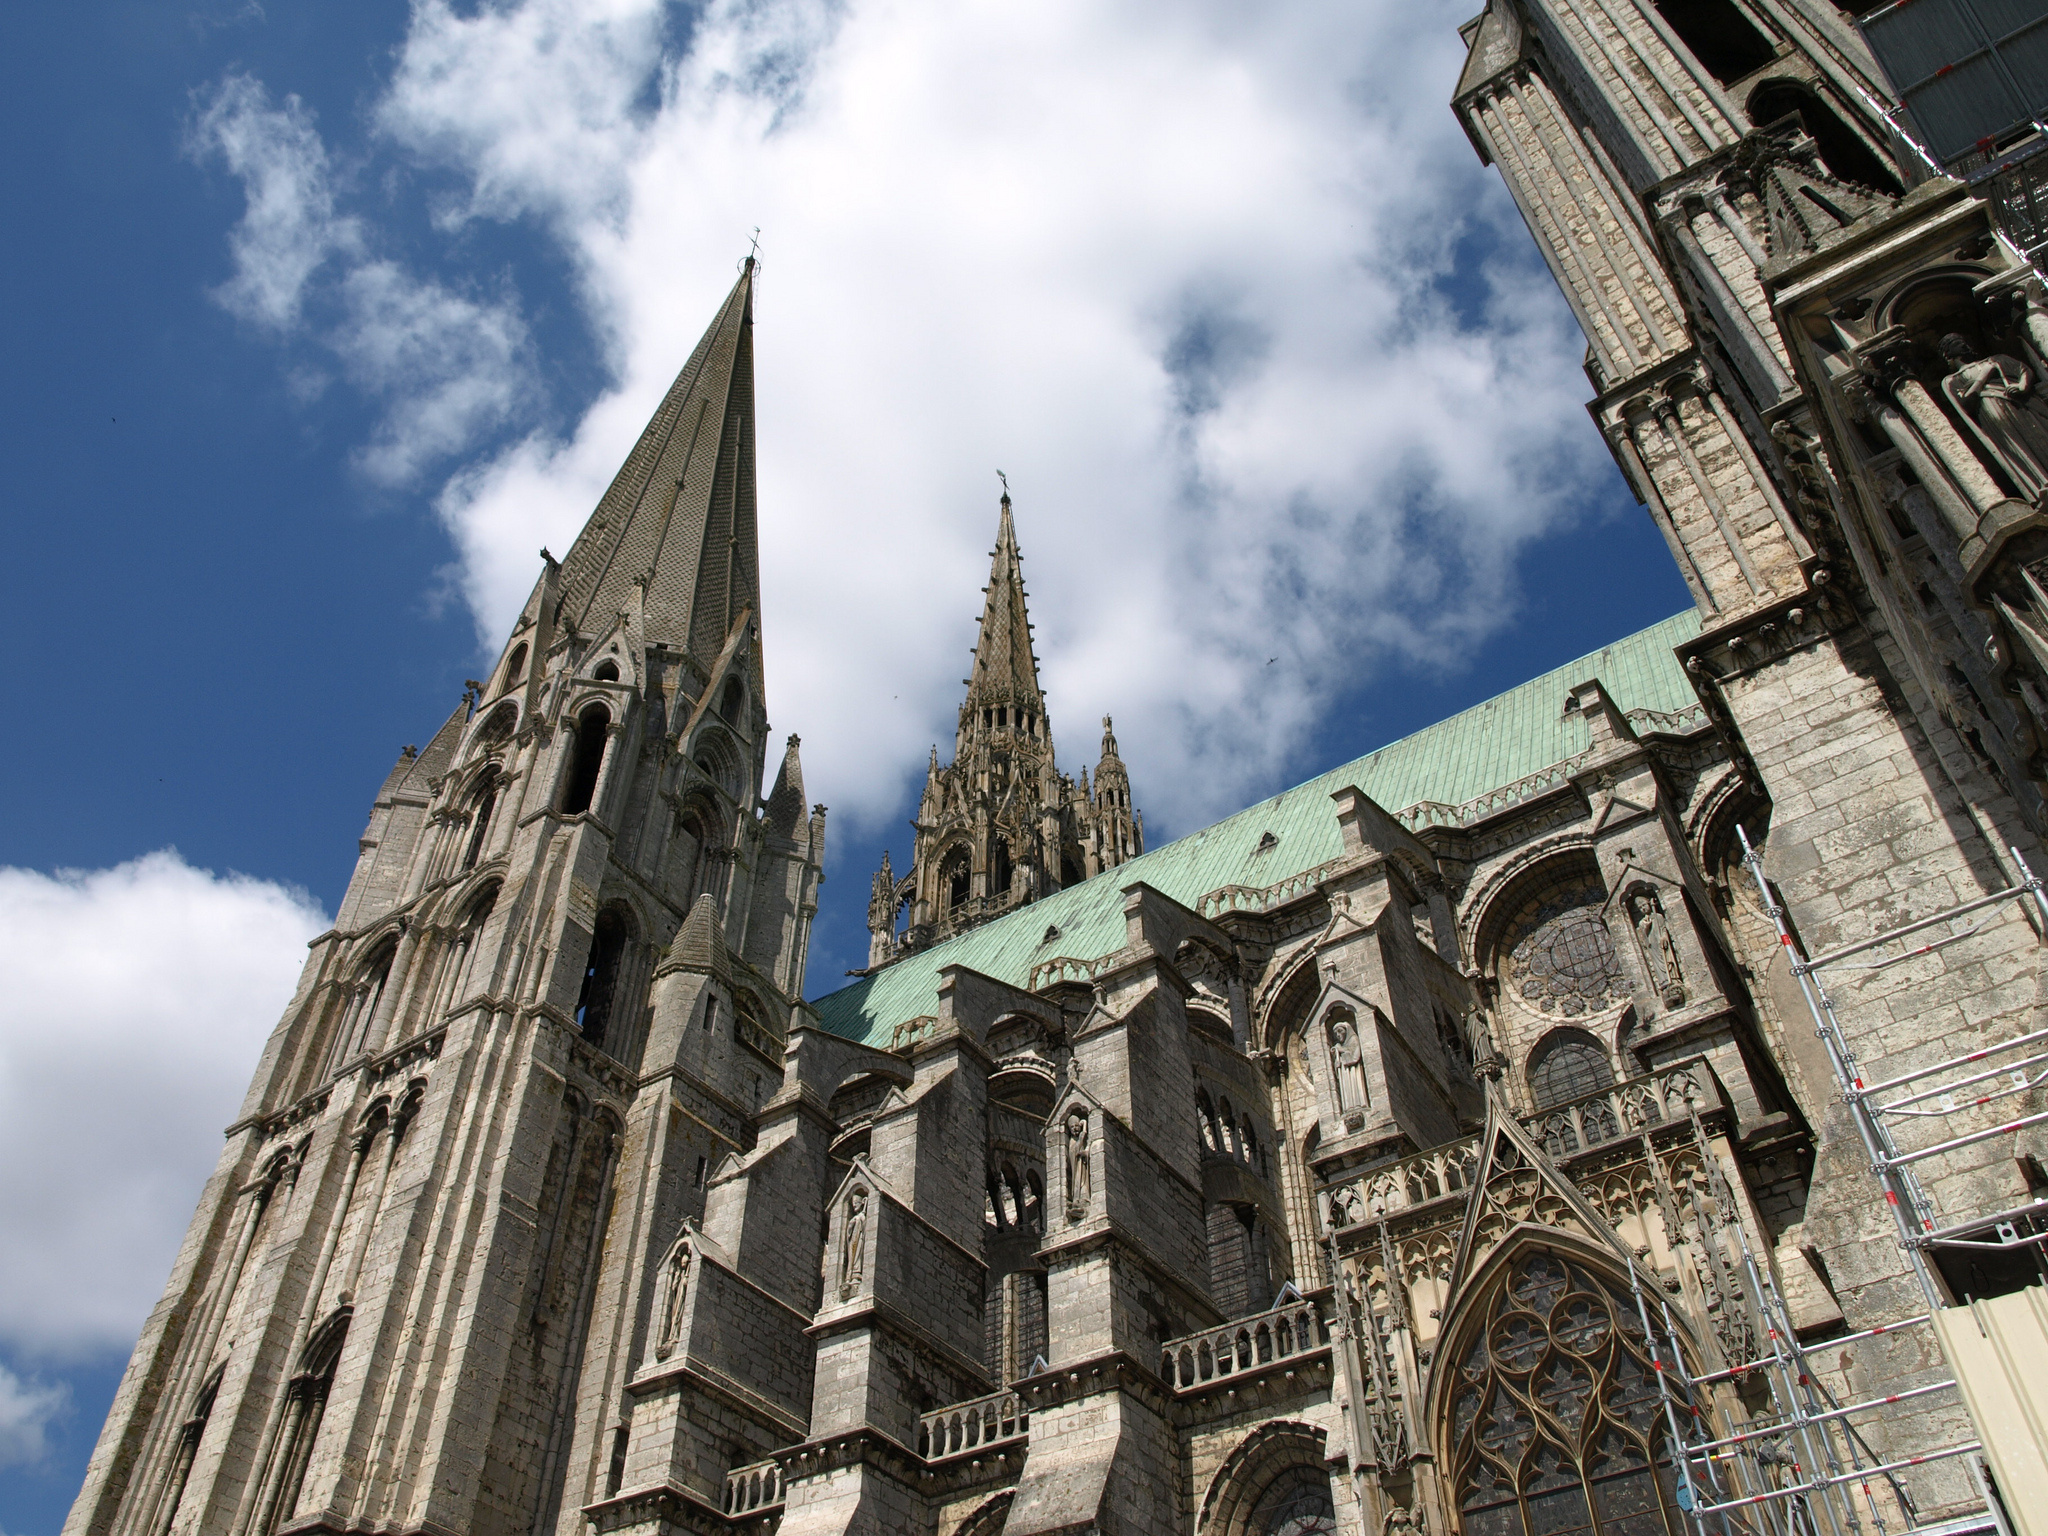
[[2000, 1351]]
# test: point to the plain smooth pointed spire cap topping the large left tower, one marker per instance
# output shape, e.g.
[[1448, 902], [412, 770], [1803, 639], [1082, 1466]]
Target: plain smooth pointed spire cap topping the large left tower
[[681, 511]]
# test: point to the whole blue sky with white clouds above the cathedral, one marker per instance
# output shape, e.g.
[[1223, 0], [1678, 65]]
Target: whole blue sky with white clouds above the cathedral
[[325, 318]]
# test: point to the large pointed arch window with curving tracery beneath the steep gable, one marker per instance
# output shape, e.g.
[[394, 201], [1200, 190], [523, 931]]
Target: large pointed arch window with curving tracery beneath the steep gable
[[1555, 1420]]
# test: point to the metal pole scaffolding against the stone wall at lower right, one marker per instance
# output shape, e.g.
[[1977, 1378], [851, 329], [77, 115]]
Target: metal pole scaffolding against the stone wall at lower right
[[1805, 1467]]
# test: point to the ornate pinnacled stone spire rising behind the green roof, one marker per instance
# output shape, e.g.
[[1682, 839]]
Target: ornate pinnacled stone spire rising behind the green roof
[[1000, 824]]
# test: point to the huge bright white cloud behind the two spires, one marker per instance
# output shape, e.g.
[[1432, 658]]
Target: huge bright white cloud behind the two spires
[[1181, 269]]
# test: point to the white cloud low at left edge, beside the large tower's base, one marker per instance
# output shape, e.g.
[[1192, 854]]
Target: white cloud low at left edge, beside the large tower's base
[[138, 1002]]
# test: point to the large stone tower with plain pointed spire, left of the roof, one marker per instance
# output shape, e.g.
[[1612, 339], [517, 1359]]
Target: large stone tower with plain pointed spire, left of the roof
[[554, 996]]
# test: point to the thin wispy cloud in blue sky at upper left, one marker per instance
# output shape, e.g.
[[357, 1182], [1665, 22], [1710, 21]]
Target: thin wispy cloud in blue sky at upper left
[[447, 368]]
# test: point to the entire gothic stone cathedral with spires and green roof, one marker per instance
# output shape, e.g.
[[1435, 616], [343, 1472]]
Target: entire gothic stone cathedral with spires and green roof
[[1613, 1111]]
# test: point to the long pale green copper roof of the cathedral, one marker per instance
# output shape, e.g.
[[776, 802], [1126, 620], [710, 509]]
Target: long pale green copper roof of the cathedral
[[1480, 755]]
